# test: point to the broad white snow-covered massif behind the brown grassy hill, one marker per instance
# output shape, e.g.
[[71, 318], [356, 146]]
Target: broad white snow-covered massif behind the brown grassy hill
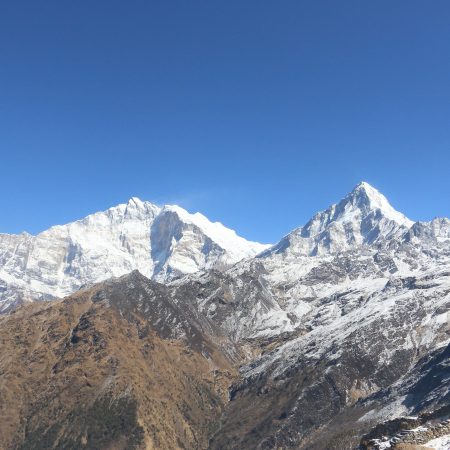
[[162, 243]]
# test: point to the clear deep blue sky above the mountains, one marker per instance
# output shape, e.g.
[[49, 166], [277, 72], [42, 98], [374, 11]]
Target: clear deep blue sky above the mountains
[[256, 113]]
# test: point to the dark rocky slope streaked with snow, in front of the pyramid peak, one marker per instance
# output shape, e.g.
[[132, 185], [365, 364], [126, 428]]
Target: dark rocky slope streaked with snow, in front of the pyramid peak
[[361, 340]]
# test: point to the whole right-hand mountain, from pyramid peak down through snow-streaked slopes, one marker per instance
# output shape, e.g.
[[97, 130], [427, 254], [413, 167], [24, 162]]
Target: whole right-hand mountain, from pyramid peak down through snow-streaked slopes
[[345, 308]]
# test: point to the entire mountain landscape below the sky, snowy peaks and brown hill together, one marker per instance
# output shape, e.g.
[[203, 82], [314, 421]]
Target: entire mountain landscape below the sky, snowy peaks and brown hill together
[[336, 337]]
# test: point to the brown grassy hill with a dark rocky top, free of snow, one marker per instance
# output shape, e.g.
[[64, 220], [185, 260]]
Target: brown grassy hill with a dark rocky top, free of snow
[[114, 366]]
